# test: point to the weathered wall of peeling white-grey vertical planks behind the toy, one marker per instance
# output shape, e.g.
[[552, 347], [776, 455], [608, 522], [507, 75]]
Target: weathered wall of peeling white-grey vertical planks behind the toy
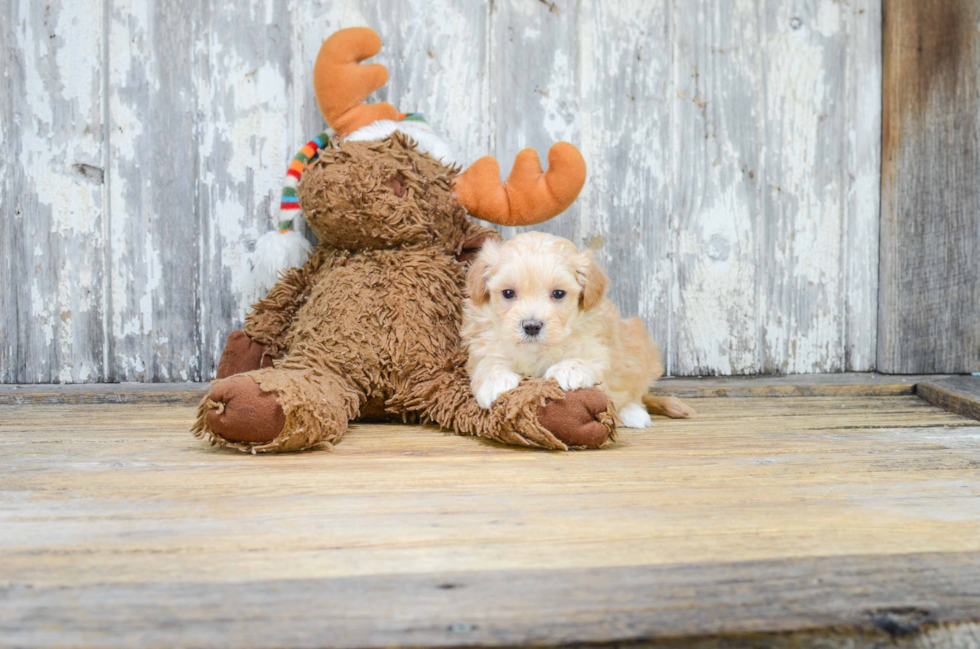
[[733, 145]]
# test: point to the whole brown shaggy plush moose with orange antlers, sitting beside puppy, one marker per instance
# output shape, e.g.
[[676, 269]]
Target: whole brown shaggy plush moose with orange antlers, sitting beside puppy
[[369, 326]]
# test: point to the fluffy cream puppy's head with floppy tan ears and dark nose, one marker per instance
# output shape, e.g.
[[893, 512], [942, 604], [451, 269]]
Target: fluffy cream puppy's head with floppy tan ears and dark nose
[[535, 286]]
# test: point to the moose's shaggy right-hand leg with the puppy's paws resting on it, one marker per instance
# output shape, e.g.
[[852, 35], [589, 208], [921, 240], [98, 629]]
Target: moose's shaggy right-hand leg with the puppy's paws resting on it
[[536, 413]]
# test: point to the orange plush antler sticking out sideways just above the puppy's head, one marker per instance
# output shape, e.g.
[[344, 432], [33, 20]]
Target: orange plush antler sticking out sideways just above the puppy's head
[[530, 195]]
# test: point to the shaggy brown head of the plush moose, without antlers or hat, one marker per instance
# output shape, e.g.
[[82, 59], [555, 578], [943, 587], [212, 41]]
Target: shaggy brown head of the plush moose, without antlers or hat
[[381, 194]]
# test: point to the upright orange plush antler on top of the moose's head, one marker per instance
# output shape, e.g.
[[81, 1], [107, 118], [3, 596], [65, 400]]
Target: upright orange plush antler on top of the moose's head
[[342, 84]]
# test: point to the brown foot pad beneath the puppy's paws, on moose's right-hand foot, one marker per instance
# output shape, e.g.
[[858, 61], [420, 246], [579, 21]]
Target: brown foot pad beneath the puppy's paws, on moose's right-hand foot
[[580, 419]]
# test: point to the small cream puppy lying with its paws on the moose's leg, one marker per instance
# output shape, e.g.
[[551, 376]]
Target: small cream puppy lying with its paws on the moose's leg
[[536, 308]]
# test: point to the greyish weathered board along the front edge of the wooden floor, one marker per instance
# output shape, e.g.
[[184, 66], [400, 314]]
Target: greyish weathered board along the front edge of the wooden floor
[[926, 601]]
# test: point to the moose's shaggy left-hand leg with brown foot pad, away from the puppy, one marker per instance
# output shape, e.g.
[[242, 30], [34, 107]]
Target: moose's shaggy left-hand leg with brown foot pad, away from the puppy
[[277, 410]]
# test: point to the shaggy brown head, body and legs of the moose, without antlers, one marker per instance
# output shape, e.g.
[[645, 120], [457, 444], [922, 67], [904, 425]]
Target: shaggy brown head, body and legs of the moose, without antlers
[[371, 322]]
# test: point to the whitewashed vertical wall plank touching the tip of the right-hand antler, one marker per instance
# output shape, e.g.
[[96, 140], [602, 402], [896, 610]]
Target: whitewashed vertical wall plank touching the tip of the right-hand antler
[[625, 126]]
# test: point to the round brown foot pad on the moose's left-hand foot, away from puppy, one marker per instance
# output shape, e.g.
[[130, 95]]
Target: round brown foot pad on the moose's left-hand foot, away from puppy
[[242, 412]]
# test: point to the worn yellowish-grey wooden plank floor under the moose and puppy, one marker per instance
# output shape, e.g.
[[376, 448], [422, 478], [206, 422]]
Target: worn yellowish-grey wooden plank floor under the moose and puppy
[[786, 518]]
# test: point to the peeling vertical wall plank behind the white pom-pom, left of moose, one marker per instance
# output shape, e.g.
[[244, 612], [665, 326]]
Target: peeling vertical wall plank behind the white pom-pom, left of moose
[[244, 88]]
